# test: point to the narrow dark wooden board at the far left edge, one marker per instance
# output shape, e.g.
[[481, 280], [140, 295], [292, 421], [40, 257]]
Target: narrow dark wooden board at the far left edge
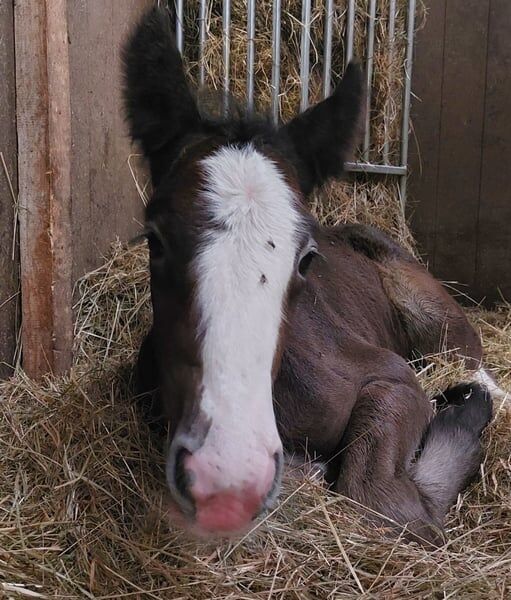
[[8, 263]]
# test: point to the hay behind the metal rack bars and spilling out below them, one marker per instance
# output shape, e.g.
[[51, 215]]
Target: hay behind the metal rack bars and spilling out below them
[[374, 199]]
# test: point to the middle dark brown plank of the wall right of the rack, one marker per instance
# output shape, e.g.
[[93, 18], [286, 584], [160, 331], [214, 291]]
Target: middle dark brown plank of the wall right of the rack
[[464, 76]]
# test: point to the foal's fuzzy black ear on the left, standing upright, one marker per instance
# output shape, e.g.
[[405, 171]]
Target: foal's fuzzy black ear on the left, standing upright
[[159, 106]]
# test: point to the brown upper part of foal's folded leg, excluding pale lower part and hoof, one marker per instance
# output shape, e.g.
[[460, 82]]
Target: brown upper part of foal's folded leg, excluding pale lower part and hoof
[[377, 451]]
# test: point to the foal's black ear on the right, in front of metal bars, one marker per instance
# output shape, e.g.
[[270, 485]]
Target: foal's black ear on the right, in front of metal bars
[[324, 136]]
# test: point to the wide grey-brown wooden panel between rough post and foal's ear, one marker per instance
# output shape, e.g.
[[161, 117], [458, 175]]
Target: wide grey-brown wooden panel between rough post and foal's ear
[[105, 201]]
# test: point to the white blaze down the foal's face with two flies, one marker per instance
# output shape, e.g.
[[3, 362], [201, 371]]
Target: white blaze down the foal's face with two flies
[[243, 270]]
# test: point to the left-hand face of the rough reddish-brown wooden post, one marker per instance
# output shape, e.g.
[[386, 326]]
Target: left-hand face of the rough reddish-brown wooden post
[[34, 216]]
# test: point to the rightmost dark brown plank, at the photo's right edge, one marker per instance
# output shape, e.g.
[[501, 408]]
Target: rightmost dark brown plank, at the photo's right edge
[[493, 266]]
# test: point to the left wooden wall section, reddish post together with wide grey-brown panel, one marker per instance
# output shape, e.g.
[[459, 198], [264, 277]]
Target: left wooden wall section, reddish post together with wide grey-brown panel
[[75, 188]]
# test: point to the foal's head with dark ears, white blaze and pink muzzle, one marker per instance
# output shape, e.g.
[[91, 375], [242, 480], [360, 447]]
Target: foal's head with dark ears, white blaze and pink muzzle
[[230, 244]]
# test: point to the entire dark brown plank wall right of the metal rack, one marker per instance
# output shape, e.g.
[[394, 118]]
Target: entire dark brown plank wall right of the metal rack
[[460, 186]]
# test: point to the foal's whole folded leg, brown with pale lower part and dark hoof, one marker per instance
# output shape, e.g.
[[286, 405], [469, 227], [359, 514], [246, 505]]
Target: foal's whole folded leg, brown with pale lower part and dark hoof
[[381, 467]]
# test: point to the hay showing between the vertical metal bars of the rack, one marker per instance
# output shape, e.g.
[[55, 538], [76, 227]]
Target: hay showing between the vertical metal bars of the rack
[[387, 83]]
